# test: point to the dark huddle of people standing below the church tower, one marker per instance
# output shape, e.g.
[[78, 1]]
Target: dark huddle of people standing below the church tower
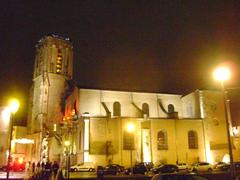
[[44, 170]]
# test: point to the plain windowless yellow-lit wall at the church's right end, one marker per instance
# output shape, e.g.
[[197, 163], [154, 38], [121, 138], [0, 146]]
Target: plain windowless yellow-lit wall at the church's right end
[[214, 121]]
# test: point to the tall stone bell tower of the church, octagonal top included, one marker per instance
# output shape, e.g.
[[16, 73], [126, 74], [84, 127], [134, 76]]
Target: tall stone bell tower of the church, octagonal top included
[[53, 68]]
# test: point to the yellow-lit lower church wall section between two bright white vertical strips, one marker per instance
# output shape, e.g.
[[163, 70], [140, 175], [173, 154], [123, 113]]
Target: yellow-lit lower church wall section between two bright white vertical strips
[[107, 141]]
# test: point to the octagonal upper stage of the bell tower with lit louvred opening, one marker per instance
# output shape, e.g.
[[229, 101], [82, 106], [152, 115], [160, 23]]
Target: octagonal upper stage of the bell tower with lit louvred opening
[[54, 54]]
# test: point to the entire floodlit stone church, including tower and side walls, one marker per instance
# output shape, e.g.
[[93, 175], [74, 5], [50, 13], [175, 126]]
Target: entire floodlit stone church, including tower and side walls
[[166, 128]]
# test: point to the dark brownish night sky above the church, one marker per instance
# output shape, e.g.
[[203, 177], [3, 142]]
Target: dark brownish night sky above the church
[[152, 46]]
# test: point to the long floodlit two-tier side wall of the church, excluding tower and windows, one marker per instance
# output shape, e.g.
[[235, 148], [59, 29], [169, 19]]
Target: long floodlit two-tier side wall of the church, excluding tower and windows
[[105, 129]]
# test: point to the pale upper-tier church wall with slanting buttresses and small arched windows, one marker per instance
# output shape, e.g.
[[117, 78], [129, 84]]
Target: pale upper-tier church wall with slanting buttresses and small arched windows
[[90, 101]]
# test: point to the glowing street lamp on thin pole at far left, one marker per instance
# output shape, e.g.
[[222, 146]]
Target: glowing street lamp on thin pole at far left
[[13, 107]]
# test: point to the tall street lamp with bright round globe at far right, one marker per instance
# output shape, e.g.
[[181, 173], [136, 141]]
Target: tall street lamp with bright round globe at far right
[[222, 74]]
